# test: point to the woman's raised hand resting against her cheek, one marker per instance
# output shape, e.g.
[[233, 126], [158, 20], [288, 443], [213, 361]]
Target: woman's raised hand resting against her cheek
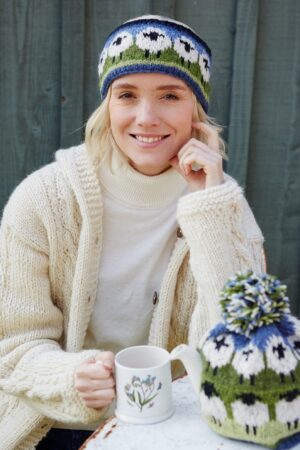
[[206, 157]]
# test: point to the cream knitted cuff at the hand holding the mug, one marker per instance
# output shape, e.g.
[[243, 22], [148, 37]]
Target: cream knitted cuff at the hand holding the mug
[[47, 385]]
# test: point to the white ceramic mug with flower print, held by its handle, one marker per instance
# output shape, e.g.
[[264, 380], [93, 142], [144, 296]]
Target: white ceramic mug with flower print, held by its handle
[[143, 384]]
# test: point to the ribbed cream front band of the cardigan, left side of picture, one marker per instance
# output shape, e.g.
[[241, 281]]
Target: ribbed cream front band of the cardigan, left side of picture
[[76, 165]]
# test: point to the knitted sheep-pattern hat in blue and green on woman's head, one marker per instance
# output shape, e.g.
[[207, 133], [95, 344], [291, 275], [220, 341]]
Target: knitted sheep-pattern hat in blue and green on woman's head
[[155, 44]]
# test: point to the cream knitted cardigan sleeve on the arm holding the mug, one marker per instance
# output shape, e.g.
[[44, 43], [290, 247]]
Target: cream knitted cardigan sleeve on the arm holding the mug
[[33, 366]]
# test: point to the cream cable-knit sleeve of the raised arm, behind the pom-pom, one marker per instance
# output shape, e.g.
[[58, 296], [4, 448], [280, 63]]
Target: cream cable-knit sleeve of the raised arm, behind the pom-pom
[[223, 237]]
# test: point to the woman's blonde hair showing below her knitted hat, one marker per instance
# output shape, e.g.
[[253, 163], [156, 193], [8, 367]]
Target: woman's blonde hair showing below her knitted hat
[[100, 142]]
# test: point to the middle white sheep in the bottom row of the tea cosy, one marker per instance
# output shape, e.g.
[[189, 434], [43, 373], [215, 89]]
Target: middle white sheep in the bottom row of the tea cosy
[[249, 412]]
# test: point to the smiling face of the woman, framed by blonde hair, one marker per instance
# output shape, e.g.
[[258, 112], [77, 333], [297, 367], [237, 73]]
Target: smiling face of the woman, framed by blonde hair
[[151, 116]]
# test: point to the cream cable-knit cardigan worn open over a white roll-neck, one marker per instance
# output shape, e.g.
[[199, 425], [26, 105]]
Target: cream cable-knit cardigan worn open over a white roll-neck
[[50, 247]]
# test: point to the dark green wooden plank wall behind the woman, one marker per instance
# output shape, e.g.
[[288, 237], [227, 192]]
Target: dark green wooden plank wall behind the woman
[[48, 88]]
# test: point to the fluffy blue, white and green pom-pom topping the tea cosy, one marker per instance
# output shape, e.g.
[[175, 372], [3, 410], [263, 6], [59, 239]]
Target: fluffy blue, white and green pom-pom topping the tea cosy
[[250, 301]]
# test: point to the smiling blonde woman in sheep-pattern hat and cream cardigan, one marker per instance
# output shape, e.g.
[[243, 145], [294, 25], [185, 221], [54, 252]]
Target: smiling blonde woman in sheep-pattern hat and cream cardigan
[[92, 258]]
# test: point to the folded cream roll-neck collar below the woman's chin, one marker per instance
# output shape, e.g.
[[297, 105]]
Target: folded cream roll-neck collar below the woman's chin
[[136, 189]]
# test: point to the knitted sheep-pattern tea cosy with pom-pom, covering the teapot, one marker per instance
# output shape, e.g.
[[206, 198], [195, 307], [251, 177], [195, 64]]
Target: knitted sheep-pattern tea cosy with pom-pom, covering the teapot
[[250, 386]]
